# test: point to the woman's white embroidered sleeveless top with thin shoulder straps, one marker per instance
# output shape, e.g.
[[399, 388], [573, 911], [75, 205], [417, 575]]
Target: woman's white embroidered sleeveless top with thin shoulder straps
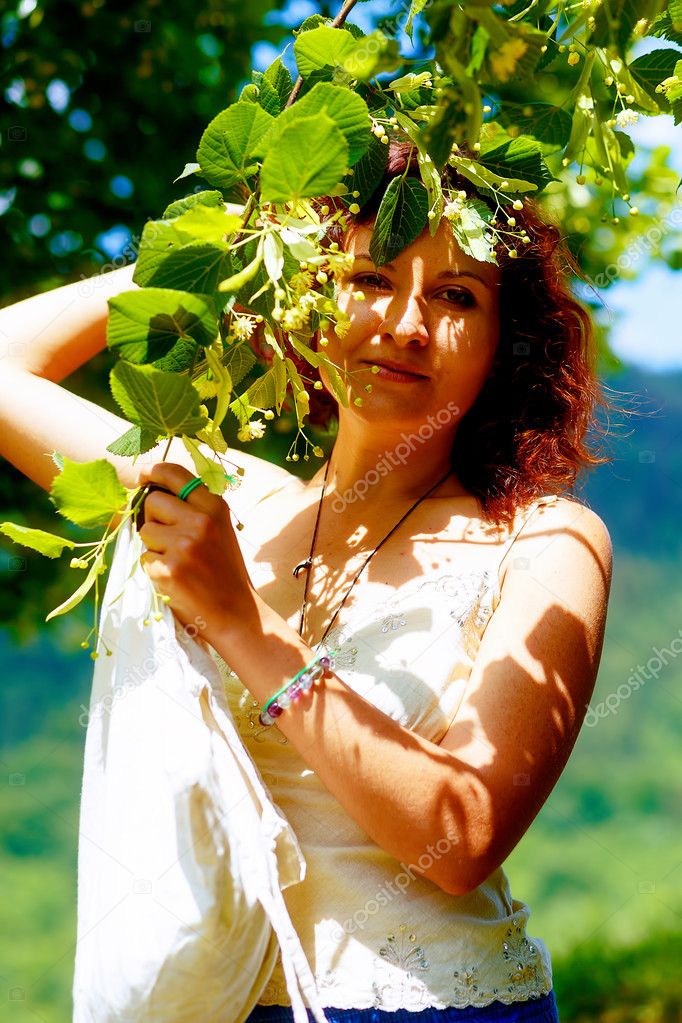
[[376, 933]]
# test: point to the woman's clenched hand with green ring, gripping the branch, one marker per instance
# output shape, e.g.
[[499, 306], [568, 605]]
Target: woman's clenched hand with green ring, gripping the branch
[[193, 553]]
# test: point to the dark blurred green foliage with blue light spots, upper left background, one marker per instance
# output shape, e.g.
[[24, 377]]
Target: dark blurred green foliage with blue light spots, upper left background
[[108, 104]]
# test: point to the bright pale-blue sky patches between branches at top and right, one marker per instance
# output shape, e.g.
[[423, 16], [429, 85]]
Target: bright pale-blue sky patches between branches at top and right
[[645, 314]]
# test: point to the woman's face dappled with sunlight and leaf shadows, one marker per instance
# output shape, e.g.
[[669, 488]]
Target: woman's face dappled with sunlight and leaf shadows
[[433, 309]]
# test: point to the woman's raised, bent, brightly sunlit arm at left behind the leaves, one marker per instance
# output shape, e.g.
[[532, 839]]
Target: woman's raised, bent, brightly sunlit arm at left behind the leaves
[[43, 340]]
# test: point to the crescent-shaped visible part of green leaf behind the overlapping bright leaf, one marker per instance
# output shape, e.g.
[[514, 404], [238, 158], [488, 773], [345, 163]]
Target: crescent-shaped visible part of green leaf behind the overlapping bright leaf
[[347, 110]]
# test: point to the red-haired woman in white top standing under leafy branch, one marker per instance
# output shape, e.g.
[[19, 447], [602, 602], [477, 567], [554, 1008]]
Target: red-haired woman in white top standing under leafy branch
[[461, 660]]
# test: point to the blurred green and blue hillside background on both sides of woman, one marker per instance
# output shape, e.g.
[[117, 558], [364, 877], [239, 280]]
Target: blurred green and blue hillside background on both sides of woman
[[602, 867]]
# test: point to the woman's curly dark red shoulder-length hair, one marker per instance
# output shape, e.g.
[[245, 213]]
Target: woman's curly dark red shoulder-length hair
[[527, 433]]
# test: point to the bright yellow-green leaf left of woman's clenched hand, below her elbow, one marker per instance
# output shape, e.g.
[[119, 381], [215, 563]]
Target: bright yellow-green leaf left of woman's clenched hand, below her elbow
[[88, 494]]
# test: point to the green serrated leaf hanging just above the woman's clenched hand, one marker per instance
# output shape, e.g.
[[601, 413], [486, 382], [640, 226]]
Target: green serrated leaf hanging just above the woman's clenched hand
[[164, 404]]
